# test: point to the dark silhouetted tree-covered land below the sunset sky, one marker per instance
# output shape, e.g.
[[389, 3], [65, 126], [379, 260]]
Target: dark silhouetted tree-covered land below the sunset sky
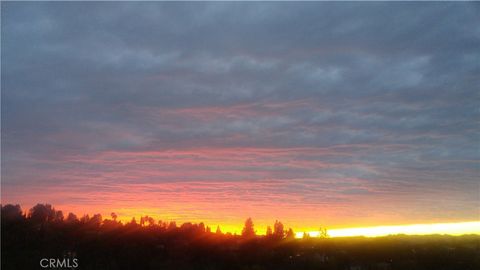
[[94, 243]]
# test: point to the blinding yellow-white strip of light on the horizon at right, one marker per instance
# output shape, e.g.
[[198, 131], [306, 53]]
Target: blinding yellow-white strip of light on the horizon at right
[[458, 228]]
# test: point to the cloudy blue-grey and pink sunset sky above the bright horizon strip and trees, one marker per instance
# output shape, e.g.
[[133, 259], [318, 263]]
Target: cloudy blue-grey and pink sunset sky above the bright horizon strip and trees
[[315, 114]]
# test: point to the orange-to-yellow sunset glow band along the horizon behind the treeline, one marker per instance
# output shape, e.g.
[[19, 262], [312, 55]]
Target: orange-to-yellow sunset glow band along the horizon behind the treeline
[[233, 223]]
